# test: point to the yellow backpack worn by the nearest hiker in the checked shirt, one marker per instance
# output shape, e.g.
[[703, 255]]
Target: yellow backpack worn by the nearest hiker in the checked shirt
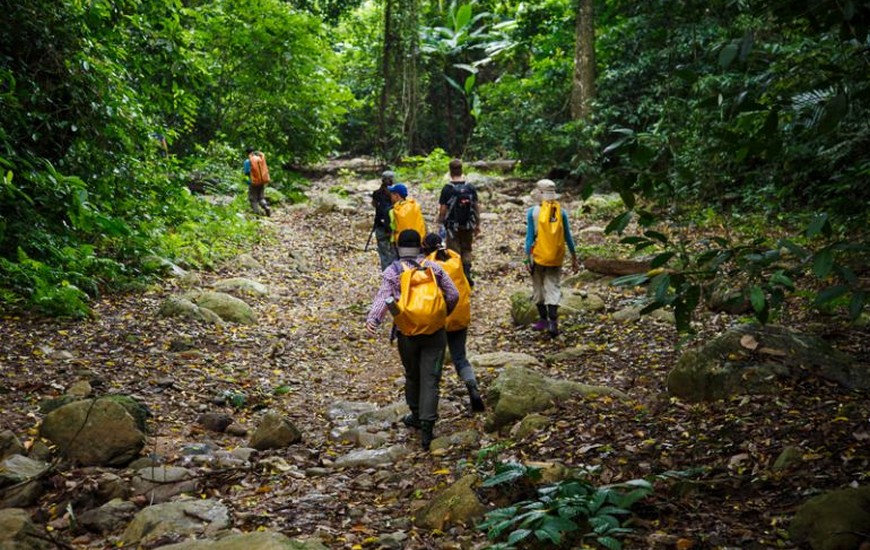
[[422, 308]]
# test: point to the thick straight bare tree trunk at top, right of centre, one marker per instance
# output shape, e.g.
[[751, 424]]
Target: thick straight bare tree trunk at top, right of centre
[[583, 85]]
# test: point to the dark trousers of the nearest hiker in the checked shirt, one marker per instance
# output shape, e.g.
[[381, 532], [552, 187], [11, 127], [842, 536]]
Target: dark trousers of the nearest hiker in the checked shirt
[[423, 358]]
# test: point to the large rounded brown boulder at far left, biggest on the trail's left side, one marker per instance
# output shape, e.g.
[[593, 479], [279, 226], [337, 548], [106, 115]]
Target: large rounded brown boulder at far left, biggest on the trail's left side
[[94, 432]]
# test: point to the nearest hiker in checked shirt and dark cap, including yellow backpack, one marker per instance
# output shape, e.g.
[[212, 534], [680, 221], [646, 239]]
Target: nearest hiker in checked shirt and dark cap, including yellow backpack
[[420, 295]]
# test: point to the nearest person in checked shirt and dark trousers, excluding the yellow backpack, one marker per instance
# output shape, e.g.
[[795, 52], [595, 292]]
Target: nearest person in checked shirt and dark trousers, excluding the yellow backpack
[[422, 355]]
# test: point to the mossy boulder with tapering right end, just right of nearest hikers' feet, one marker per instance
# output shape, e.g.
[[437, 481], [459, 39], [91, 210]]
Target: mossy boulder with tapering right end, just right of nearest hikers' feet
[[518, 392]]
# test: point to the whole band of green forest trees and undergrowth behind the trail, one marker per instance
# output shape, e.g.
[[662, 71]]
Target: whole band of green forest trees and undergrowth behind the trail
[[760, 106]]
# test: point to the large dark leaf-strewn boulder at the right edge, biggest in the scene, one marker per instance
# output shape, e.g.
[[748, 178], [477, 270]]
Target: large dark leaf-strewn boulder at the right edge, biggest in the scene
[[748, 358]]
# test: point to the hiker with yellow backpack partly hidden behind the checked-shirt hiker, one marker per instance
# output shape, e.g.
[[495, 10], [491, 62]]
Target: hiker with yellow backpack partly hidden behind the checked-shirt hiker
[[459, 319]]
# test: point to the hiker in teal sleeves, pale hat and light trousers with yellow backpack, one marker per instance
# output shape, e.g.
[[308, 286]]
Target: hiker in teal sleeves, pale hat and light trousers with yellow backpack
[[547, 235]]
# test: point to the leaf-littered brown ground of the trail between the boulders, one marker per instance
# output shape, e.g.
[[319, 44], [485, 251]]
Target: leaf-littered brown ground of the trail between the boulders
[[311, 346]]
